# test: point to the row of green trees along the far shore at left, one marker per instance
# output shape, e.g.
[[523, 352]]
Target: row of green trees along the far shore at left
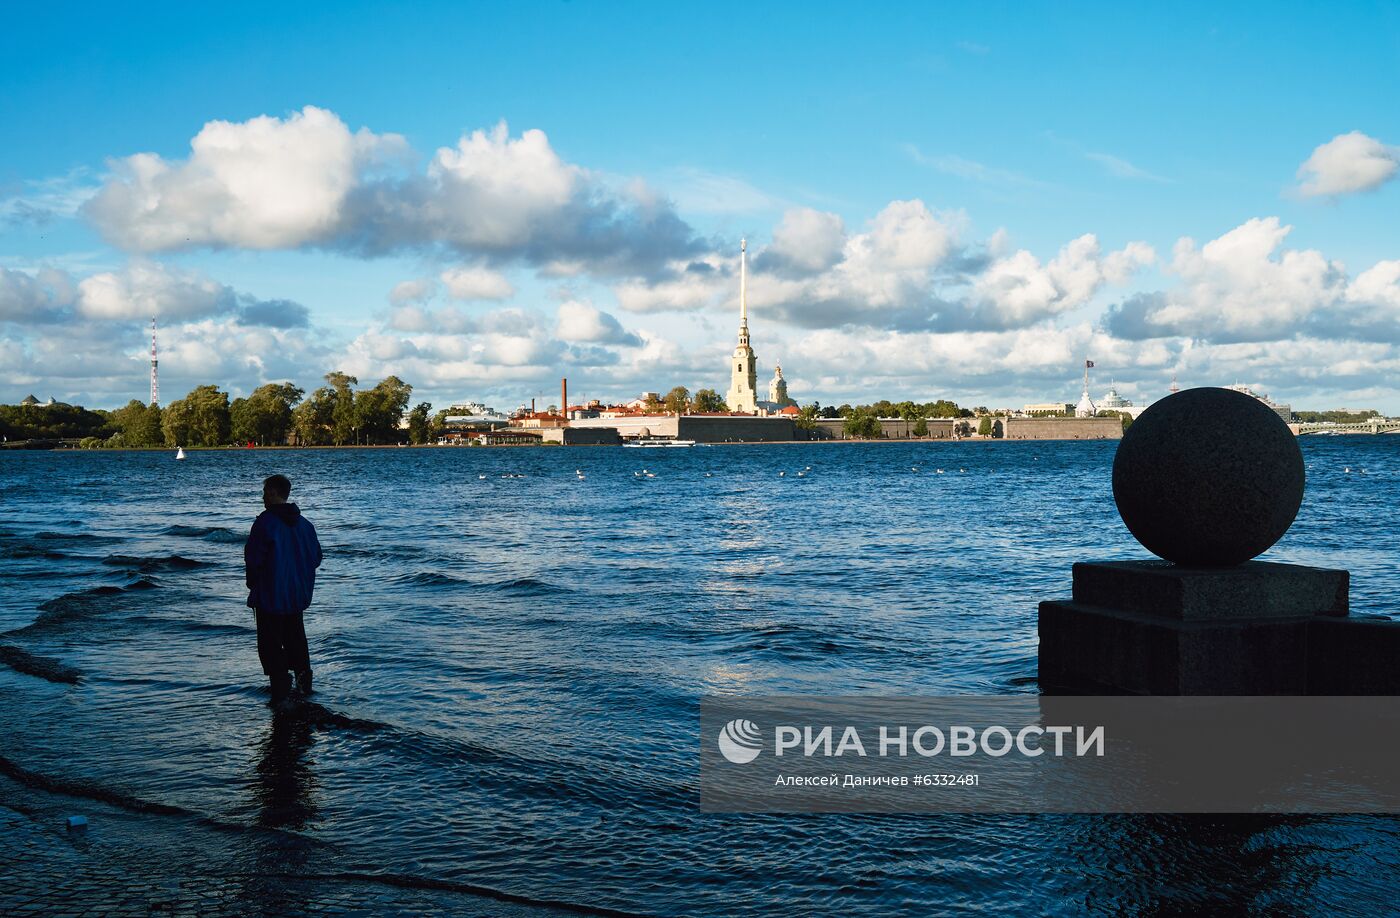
[[278, 414]]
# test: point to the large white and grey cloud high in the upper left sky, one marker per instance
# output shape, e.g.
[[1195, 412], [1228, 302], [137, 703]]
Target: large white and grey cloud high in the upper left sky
[[309, 181]]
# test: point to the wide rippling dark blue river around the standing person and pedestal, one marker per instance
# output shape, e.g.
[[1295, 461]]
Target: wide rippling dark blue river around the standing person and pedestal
[[509, 670]]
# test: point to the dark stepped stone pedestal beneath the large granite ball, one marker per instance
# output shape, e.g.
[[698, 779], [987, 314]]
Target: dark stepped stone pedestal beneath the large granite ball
[[1151, 628]]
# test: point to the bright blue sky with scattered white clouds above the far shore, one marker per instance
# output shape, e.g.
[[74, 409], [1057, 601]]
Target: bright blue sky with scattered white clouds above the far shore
[[1017, 129]]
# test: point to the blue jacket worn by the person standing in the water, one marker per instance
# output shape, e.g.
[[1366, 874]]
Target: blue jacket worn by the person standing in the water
[[282, 556]]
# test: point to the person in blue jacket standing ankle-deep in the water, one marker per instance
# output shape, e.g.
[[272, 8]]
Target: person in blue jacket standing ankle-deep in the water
[[282, 556]]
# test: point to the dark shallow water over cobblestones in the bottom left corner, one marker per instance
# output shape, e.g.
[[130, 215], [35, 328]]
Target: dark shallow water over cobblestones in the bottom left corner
[[142, 864]]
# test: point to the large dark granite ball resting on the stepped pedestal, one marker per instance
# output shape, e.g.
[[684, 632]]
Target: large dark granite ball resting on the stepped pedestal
[[1209, 478]]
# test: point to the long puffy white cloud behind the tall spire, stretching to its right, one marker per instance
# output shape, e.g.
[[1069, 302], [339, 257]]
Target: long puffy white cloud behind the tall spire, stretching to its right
[[906, 271]]
